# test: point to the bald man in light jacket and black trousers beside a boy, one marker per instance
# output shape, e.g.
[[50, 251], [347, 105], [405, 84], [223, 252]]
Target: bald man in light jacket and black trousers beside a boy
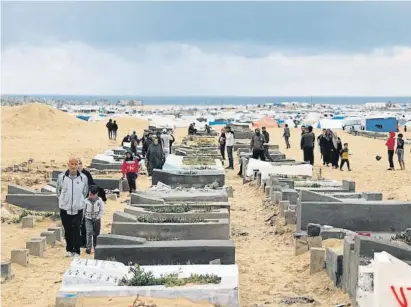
[[71, 190]]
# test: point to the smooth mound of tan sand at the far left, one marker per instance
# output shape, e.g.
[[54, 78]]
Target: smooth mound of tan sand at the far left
[[37, 117]]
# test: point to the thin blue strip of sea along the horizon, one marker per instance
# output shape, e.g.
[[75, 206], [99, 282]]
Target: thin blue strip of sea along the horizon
[[219, 100]]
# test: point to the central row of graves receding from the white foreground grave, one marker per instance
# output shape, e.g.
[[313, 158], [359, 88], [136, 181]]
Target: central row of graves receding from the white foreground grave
[[169, 241]]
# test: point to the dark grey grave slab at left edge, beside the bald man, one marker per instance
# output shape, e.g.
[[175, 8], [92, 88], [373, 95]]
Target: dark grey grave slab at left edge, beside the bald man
[[35, 202]]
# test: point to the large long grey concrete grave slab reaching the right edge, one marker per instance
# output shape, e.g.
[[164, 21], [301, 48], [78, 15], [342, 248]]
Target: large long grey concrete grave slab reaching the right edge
[[357, 216]]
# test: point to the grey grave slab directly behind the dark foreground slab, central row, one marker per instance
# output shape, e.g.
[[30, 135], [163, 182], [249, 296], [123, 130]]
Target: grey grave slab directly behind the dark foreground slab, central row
[[216, 230]]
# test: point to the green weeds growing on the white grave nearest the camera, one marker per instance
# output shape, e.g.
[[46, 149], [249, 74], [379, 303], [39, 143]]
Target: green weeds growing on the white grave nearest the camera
[[139, 278]]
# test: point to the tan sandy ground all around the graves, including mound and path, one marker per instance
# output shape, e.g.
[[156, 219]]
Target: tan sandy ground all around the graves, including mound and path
[[268, 270]]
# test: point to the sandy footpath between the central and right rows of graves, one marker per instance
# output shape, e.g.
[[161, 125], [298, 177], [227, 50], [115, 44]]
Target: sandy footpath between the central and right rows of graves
[[268, 269]]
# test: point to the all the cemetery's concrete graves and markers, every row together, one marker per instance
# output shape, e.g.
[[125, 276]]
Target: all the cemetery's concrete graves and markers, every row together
[[174, 239]]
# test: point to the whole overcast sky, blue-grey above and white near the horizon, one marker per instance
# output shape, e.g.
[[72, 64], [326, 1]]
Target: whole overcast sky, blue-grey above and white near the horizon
[[206, 48]]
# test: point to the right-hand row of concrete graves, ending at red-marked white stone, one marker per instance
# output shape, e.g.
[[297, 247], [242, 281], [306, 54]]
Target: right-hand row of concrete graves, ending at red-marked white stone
[[372, 262]]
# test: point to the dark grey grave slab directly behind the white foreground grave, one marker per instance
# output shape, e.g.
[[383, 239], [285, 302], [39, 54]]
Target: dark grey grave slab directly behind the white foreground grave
[[170, 252]]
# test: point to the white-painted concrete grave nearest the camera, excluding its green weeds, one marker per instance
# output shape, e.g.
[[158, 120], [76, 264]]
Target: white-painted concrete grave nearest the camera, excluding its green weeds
[[225, 293]]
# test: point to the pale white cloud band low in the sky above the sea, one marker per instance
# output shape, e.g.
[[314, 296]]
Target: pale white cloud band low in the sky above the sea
[[184, 69]]
